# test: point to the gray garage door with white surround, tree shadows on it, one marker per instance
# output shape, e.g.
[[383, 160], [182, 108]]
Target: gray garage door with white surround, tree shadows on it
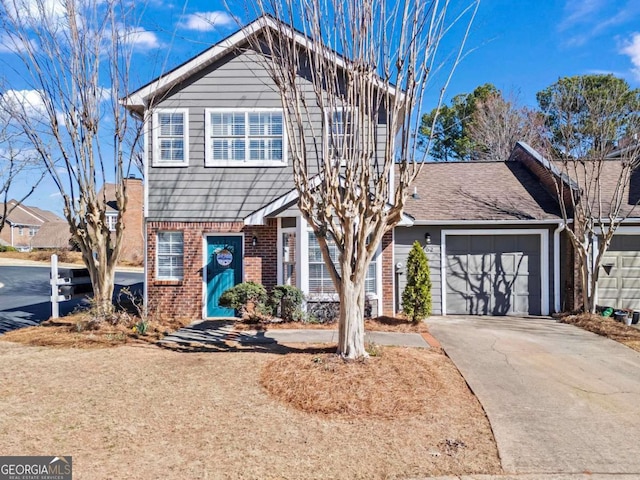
[[497, 272]]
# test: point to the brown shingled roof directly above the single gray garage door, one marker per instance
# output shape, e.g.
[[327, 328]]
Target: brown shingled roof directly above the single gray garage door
[[479, 191]]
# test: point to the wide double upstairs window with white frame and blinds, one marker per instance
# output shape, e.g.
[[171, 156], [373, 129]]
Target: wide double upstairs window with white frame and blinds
[[245, 138]]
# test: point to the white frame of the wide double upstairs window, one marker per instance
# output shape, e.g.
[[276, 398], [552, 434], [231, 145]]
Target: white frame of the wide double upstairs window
[[208, 142]]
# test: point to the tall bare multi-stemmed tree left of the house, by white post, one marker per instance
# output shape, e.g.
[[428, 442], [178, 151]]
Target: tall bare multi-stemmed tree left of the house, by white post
[[75, 57]]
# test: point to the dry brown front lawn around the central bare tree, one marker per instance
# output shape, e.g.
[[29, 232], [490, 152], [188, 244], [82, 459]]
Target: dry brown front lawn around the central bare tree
[[140, 412]]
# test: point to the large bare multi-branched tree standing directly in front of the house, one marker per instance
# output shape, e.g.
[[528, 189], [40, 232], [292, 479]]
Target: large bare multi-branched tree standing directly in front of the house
[[351, 117]]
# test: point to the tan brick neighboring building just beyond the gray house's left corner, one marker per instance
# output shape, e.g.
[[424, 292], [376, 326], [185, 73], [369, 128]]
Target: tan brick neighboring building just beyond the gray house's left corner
[[133, 220]]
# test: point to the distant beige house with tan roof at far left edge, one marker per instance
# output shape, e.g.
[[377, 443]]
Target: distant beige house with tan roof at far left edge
[[23, 223]]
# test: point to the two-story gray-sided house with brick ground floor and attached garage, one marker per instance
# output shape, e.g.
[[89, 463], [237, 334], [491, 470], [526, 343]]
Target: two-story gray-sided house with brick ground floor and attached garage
[[221, 207]]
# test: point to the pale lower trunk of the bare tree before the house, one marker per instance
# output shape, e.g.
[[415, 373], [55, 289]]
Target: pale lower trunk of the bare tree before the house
[[351, 328]]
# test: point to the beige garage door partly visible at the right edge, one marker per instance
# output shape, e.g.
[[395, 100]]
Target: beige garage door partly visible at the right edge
[[619, 282]]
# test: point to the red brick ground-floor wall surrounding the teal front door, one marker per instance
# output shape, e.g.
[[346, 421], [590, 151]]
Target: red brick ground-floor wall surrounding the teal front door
[[184, 299]]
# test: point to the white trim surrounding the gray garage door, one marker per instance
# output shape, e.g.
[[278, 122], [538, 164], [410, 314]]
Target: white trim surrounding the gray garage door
[[544, 260]]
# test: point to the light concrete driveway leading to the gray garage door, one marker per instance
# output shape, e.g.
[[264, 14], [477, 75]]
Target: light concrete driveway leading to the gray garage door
[[560, 400]]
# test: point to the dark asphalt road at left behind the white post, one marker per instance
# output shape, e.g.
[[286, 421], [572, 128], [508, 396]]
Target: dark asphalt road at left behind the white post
[[25, 295]]
